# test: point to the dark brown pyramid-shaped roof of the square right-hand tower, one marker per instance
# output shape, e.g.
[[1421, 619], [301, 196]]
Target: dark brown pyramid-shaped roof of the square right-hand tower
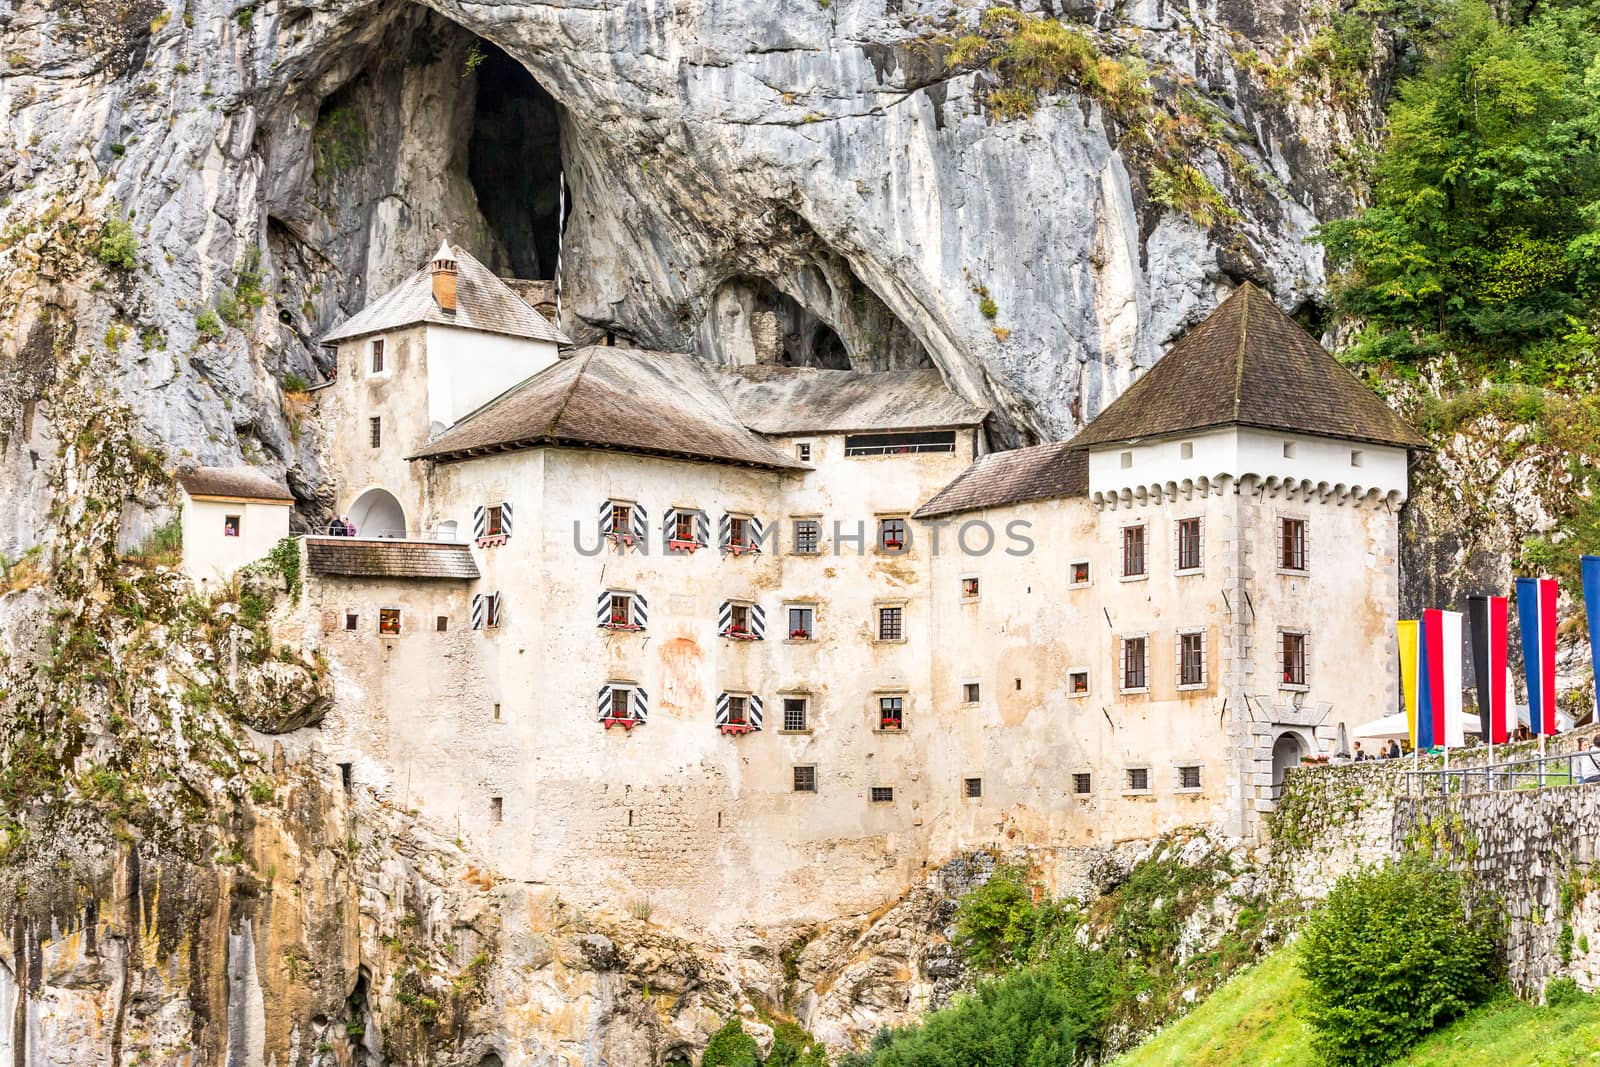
[[1249, 364]]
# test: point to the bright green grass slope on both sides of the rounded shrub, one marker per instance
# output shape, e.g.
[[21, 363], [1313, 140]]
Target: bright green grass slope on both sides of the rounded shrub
[[1252, 1021]]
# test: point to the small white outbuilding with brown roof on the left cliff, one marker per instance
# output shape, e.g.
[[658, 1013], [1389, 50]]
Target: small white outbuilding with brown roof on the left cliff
[[231, 518]]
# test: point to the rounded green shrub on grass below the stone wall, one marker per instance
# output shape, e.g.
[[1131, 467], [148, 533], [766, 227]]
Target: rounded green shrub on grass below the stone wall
[[1390, 957]]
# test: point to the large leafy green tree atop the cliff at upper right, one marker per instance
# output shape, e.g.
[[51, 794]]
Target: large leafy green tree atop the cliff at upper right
[[1484, 230]]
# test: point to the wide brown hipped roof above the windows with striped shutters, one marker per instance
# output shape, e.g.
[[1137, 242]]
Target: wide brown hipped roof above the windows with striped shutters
[[626, 399]]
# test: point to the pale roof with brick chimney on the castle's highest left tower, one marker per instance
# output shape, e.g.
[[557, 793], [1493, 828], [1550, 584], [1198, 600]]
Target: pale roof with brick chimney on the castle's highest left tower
[[482, 303]]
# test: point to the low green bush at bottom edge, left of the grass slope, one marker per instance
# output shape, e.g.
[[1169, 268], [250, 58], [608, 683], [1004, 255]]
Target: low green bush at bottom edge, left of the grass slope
[[1023, 1020]]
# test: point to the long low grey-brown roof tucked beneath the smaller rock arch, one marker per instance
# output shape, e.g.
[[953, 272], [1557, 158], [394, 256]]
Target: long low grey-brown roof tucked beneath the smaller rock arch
[[809, 401]]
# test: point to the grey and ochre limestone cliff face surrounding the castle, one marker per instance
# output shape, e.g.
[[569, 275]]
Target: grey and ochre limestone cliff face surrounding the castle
[[191, 194]]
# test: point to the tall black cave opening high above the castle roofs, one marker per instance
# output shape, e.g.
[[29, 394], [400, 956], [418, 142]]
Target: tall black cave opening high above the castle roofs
[[514, 162]]
